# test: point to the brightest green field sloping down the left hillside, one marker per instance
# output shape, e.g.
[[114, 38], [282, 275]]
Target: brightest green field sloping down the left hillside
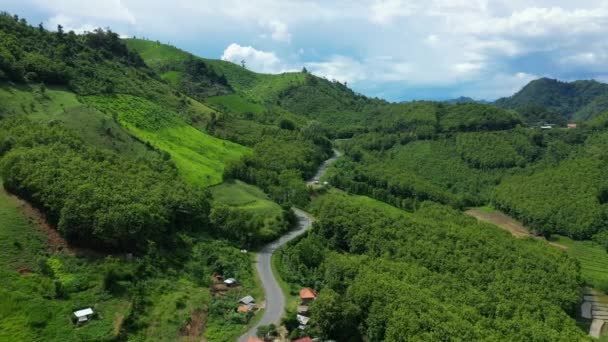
[[199, 157]]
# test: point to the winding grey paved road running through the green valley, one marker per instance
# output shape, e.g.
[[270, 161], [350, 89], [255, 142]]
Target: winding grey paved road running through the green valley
[[275, 298]]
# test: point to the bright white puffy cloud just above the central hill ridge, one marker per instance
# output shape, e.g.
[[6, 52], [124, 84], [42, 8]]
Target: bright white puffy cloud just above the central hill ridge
[[256, 60]]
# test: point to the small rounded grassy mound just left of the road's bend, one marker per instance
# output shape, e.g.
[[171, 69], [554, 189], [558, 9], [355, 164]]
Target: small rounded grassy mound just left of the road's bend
[[267, 214]]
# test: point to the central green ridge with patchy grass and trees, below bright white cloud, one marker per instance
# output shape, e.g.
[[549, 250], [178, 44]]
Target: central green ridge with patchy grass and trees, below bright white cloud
[[295, 96]]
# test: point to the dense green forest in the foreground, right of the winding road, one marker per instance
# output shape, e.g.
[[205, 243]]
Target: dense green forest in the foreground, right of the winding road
[[385, 275]]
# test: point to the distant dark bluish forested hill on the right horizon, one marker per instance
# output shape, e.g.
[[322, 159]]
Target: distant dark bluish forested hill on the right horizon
[[554, 101]]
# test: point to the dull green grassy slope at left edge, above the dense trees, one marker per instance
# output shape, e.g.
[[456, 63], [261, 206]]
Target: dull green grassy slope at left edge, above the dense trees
[[57, 104]]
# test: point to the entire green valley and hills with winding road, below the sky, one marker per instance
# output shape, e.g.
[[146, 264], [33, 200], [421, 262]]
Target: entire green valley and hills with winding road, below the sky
[[183, 198]]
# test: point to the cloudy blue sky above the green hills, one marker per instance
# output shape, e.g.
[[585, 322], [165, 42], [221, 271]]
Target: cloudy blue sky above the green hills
[[398, 50]]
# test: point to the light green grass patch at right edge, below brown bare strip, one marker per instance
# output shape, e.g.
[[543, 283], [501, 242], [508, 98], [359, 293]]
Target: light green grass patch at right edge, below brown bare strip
[[593, 259]]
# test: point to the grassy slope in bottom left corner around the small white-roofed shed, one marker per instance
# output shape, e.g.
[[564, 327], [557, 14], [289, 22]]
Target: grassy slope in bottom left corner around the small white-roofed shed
[[28, 311]]
